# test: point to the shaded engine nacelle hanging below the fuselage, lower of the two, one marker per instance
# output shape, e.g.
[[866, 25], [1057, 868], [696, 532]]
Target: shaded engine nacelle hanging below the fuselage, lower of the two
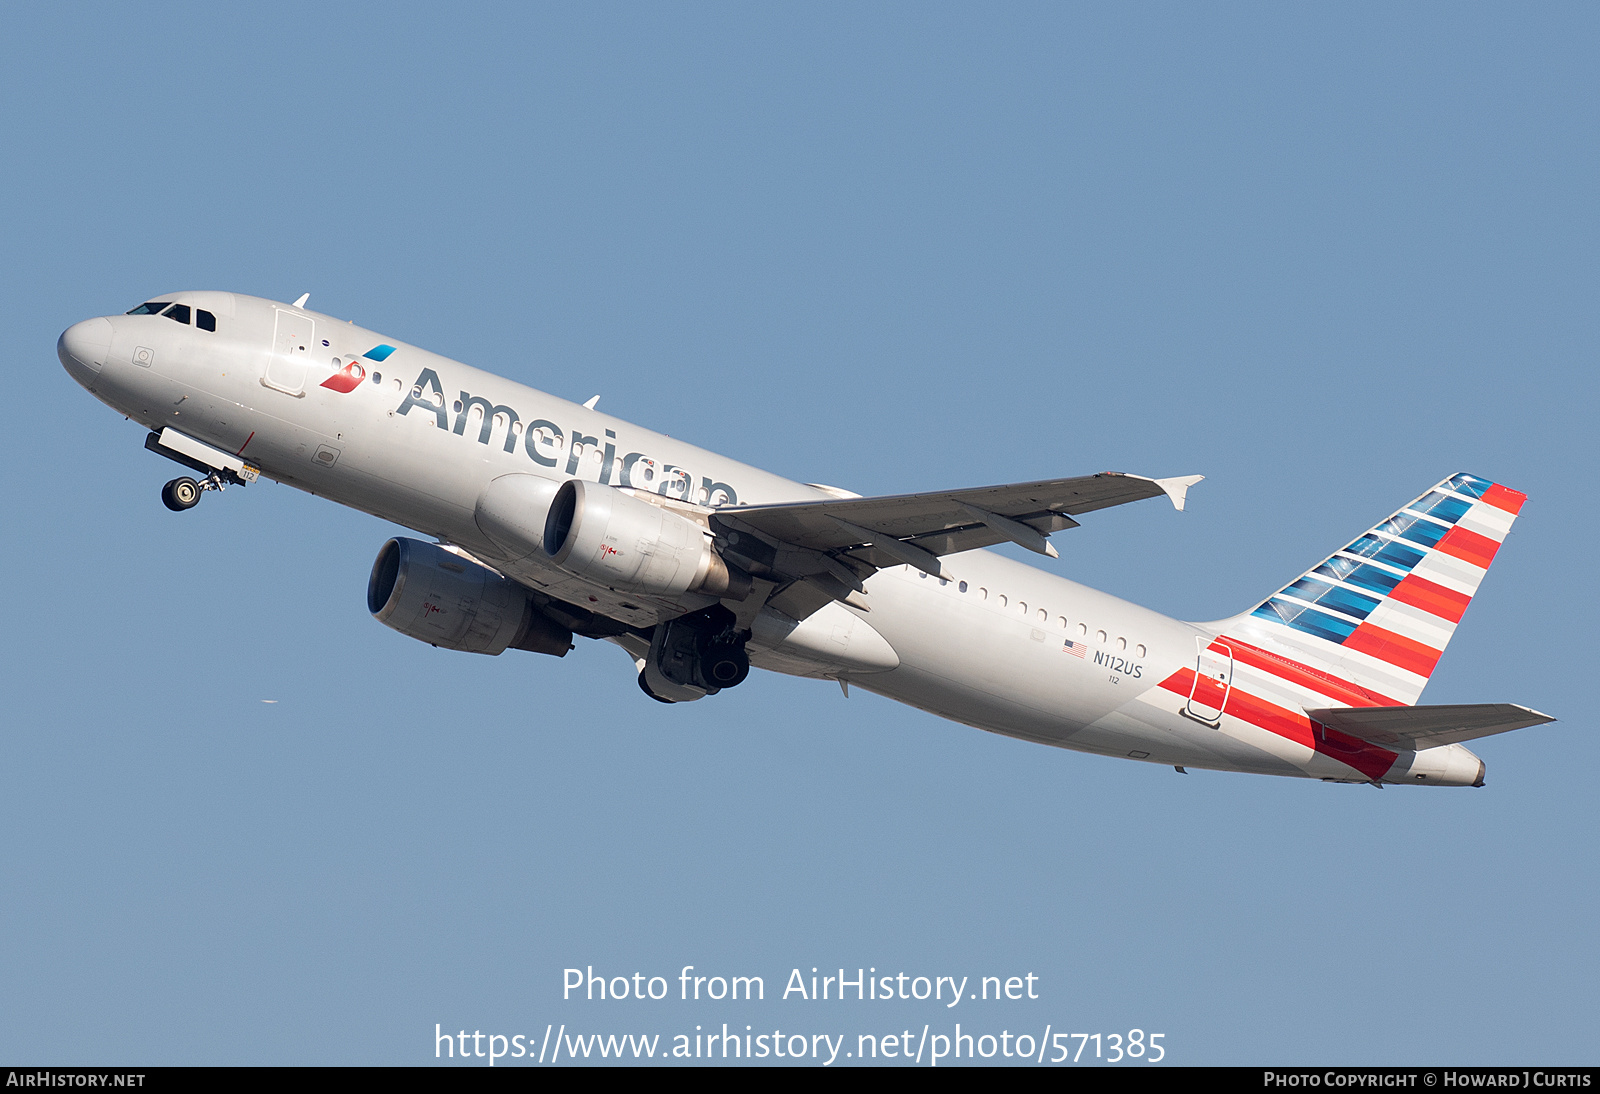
[[446, 601]]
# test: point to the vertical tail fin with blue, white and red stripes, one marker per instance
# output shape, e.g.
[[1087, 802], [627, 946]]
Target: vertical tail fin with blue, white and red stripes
[[1380, 612]]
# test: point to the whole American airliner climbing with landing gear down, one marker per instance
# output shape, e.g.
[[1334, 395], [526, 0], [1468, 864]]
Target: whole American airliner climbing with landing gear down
[[550, 521]]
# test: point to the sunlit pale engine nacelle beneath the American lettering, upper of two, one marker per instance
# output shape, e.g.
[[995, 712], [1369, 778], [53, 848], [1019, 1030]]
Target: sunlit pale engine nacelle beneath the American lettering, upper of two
[[617, 540]]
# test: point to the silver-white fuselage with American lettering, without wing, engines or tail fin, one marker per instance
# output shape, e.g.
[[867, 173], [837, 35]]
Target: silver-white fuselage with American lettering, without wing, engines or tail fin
[[412, 437]]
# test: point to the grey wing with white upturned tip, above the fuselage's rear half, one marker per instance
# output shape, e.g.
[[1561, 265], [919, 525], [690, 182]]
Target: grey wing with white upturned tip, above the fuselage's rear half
[[834, 545]]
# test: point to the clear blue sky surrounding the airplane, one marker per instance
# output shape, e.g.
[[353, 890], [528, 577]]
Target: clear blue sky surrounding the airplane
[[1322, 257]]
